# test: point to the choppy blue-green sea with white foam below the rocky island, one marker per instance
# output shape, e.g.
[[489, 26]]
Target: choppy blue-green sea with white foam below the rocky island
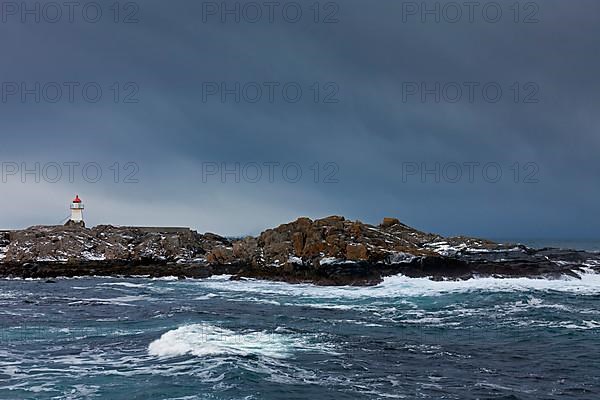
[[218, 339]]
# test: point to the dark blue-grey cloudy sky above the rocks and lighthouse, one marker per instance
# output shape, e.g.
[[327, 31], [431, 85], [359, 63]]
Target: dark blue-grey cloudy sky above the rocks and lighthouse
[[234, 117]]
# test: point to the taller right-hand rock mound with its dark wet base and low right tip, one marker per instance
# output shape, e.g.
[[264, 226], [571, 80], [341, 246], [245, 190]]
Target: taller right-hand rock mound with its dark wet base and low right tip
[[335, 251]]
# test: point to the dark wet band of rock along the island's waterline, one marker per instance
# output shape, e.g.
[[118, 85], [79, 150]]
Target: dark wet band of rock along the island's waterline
[[355, 274]]
